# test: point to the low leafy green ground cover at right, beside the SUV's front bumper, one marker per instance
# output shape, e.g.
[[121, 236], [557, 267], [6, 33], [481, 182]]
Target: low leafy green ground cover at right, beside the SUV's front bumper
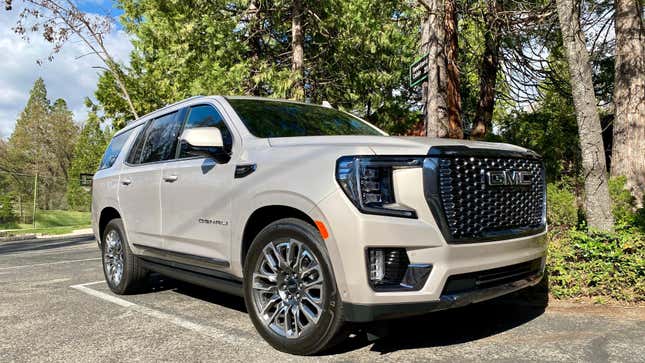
[[594, 264]]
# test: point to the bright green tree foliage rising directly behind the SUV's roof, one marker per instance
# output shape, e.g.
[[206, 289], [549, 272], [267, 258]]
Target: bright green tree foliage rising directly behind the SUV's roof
[[357, 61]]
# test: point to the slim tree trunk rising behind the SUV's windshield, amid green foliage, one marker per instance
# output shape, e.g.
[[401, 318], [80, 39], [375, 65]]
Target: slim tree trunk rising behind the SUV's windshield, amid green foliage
[[297, 48]]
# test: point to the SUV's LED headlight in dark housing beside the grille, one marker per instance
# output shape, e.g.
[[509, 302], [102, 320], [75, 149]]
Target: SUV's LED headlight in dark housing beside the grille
[[368, 182]]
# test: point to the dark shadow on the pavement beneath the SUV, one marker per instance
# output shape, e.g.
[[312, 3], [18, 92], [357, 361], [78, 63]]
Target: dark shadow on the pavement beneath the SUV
[[442, 328]]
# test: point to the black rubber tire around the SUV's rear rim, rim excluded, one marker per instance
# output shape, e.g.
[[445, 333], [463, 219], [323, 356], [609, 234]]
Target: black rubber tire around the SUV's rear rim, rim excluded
[[134, 274]]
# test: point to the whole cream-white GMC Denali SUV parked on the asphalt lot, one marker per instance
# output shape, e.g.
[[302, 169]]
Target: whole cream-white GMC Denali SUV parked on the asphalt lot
[[315, 217]]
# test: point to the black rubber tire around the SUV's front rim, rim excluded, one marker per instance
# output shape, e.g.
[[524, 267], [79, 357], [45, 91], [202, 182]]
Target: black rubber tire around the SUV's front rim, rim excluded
[[328, 330]]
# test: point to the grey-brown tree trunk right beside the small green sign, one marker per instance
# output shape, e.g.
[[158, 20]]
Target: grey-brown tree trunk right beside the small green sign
[[434, 89]]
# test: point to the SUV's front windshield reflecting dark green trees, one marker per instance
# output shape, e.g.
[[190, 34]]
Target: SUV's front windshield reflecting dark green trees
[[286, 119]]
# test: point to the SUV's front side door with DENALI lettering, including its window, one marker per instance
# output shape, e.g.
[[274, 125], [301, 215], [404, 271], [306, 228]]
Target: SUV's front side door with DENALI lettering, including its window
[[196, 195]]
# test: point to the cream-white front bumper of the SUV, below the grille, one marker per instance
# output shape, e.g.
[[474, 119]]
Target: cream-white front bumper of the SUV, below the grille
[[352, 233]]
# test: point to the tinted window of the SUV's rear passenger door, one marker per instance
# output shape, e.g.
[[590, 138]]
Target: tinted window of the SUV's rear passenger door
[[161, 139]]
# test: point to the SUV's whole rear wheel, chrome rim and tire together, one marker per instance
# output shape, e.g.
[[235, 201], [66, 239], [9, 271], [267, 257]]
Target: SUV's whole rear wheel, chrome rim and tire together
[[122, 269]]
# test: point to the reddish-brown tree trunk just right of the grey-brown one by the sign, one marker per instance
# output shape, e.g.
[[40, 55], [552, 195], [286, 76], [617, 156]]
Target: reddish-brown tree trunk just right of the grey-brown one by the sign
[[455, 129]]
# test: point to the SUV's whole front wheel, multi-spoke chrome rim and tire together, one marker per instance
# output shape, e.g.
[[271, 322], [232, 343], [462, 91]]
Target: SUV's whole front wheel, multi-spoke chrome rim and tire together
[[290, 290]]
